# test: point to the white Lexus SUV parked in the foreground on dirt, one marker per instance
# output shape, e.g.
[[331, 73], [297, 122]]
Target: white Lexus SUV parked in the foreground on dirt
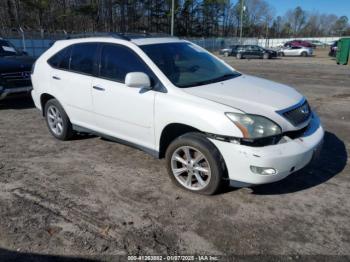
[[173, 99]]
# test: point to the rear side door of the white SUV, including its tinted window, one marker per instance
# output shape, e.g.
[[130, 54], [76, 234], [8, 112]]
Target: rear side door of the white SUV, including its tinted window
[[72, 80]]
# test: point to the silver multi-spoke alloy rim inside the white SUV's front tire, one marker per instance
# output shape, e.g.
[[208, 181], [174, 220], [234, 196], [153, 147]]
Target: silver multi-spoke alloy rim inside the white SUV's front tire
[[190, 168]]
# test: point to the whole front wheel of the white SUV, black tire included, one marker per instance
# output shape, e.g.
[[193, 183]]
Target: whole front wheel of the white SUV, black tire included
[[208, 158]]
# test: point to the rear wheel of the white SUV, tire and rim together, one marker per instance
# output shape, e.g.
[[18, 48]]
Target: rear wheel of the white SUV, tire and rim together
[[56, 117]]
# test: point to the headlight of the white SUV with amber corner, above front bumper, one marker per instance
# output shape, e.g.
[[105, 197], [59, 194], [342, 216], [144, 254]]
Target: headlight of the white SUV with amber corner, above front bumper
[[254, 126]]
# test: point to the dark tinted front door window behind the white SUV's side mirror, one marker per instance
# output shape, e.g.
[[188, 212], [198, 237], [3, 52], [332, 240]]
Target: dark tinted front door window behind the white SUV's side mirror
[[117, 61]]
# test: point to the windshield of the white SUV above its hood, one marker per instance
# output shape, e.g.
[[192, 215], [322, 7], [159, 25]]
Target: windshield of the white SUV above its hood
[[186, 65]]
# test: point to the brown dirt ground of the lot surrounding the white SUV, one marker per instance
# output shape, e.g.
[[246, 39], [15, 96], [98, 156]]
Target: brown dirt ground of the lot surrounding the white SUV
[[92, 196]]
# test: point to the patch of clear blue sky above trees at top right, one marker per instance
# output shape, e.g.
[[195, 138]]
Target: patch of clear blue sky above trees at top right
[[337, 7]]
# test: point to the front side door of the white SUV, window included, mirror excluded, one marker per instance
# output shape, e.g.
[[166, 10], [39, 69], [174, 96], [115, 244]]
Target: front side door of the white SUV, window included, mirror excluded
[[121, 111]]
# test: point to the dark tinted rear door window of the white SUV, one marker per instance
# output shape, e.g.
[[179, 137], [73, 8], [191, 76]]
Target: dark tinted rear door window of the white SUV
[[83, 58]]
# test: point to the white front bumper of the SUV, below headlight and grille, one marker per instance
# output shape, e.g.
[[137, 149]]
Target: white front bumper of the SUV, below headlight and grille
[[285, 158]]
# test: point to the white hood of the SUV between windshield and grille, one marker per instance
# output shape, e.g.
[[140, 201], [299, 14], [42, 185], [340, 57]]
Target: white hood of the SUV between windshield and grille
[[249, 94]]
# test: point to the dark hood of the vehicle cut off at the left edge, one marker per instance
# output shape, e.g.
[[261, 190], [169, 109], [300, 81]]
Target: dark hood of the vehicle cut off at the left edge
[[15, 63]]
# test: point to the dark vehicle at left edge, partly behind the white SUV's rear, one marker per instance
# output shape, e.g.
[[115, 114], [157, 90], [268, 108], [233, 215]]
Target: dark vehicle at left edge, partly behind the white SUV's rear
[[15, 69]]
